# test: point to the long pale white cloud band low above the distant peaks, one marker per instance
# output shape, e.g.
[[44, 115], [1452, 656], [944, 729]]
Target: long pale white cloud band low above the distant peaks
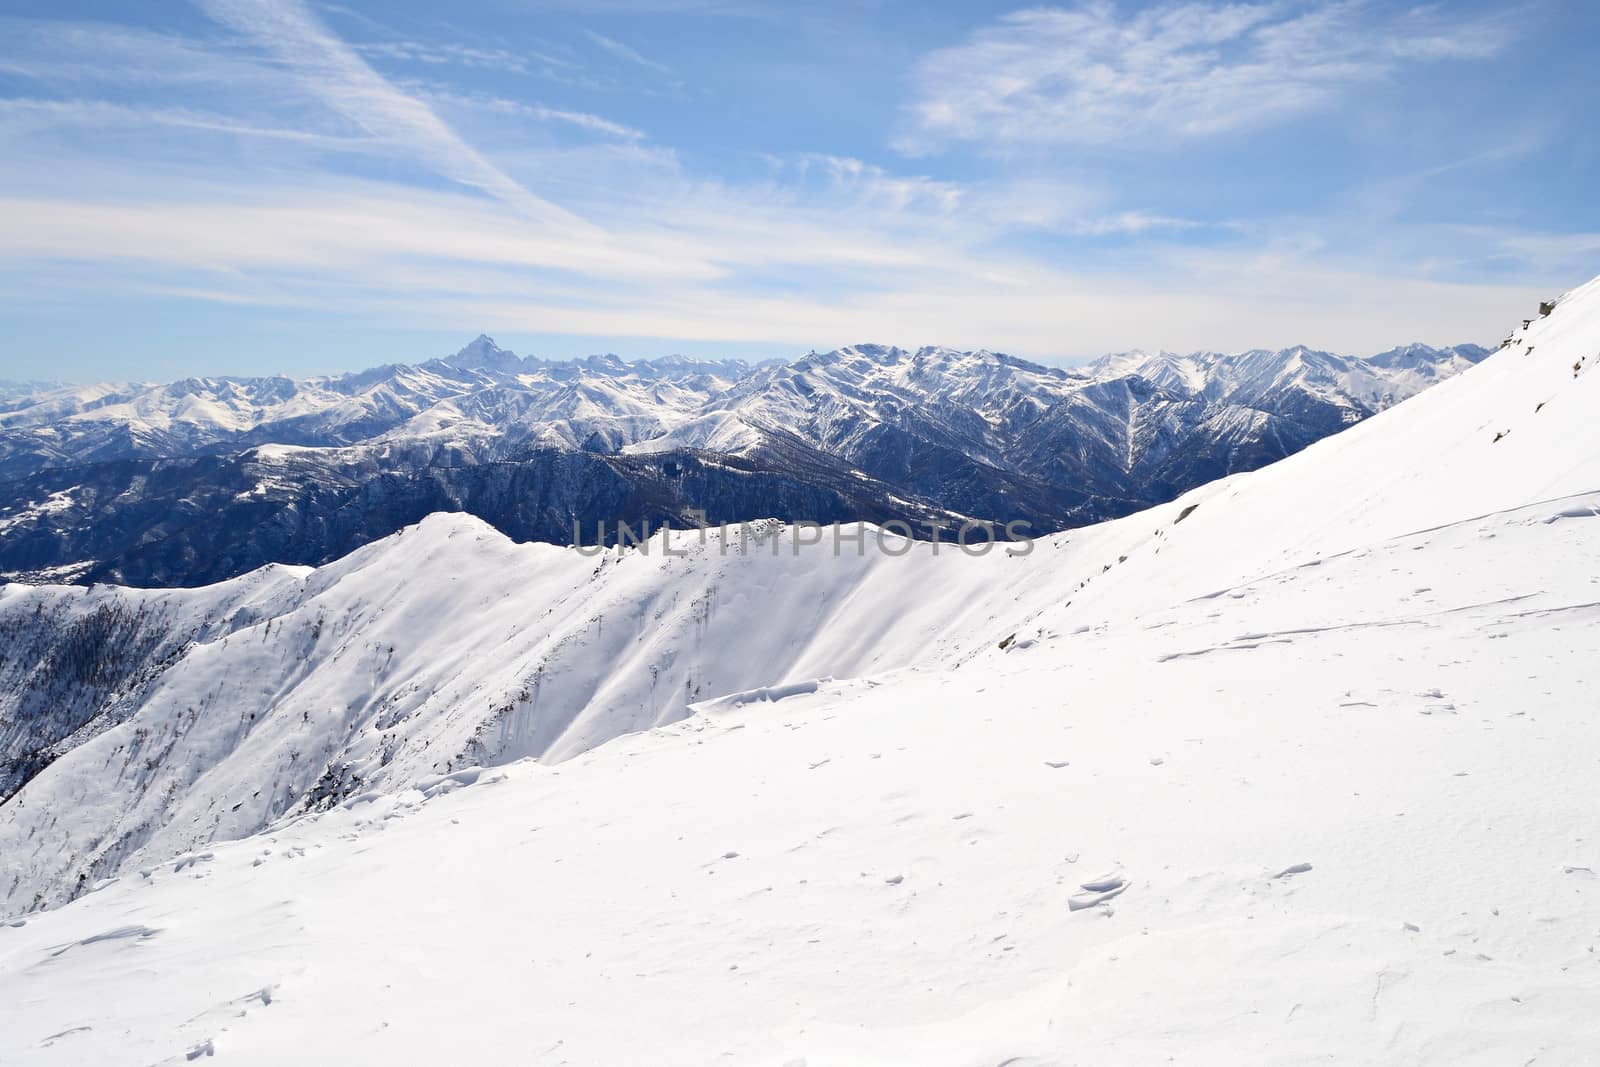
[[708, 263]]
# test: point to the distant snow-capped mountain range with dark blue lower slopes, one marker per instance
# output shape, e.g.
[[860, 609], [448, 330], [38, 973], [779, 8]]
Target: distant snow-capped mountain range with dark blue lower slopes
[[207, 479]]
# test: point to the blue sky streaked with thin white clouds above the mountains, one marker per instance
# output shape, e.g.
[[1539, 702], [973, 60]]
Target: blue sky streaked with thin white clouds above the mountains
[[287, 186]]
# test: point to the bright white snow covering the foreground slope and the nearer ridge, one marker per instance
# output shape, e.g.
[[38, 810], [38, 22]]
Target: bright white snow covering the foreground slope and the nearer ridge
[[1298, 769]]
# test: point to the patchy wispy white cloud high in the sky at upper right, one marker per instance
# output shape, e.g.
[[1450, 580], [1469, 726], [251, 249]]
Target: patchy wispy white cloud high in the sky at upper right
[[1097, 74]]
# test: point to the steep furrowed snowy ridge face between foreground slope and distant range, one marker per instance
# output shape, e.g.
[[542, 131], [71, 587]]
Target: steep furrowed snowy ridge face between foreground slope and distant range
[[345, 679]]
